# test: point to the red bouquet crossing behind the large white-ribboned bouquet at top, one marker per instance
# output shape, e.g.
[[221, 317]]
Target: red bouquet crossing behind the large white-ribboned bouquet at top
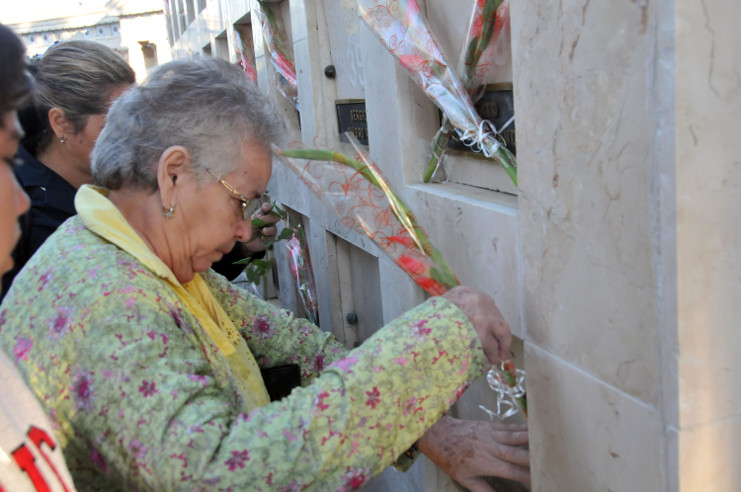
[[488, 20]]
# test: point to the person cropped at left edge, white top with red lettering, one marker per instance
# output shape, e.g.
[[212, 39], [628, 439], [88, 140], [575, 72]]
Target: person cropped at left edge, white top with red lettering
[[30, 458]]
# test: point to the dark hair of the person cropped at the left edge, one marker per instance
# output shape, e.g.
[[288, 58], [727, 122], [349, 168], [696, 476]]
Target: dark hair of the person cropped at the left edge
[[15, 83]]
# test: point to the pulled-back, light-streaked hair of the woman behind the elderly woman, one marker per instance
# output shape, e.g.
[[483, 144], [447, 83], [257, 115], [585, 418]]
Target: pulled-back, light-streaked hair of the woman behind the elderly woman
[[77, 77]]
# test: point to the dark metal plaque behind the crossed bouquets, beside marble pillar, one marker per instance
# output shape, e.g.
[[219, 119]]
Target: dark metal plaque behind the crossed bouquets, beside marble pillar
[[496, 105]]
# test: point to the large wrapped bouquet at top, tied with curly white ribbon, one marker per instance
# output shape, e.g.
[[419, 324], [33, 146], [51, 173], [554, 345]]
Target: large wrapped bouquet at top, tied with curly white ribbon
[[405, 33]]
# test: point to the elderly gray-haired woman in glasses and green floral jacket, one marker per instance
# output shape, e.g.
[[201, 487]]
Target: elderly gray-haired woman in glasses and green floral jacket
[[149, 362]]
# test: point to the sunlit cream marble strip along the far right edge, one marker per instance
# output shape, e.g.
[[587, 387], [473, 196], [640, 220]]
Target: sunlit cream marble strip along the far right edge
[[707, 172]]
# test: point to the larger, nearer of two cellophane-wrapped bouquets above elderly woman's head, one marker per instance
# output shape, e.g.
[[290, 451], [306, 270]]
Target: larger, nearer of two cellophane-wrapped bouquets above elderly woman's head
[[280, 57]]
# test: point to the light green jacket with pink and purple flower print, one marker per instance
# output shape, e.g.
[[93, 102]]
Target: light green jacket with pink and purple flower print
[[138, 397]]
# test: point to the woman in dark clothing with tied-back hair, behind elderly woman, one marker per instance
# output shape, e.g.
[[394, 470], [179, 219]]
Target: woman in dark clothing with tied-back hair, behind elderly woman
[[76, 82]]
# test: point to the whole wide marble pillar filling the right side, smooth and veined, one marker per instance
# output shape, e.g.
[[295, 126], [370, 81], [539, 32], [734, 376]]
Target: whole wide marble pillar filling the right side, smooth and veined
[[627, 120]]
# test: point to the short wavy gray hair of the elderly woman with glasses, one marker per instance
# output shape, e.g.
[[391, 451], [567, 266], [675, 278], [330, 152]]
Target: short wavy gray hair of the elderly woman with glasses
[[206, 105]]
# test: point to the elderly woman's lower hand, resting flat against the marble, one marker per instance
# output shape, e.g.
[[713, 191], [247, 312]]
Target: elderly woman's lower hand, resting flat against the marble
[[470, 450]]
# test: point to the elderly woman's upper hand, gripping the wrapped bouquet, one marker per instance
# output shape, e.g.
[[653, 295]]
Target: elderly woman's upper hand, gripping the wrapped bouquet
[[489, 323]]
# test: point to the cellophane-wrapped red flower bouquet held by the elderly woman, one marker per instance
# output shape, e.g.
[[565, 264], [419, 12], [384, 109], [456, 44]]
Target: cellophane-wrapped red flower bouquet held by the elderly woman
[[355, 190]]
